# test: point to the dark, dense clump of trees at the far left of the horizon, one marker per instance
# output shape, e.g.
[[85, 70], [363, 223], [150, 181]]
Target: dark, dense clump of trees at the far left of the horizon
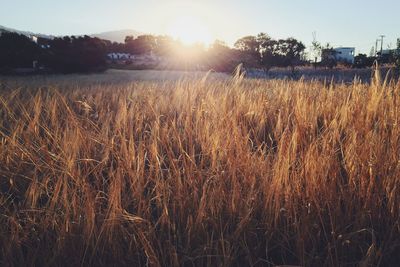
[[61, 55]]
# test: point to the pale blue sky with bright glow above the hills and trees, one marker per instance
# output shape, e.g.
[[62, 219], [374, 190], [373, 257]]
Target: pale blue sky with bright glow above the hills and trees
[[355, 23]]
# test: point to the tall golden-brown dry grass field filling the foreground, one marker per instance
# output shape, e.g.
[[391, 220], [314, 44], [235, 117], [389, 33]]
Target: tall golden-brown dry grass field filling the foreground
[[199, 172]]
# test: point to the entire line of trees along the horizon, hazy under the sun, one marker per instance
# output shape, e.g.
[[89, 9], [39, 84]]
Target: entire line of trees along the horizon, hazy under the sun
[[88, 54]]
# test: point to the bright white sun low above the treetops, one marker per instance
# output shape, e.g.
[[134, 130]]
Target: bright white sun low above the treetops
[[190, 30]]
